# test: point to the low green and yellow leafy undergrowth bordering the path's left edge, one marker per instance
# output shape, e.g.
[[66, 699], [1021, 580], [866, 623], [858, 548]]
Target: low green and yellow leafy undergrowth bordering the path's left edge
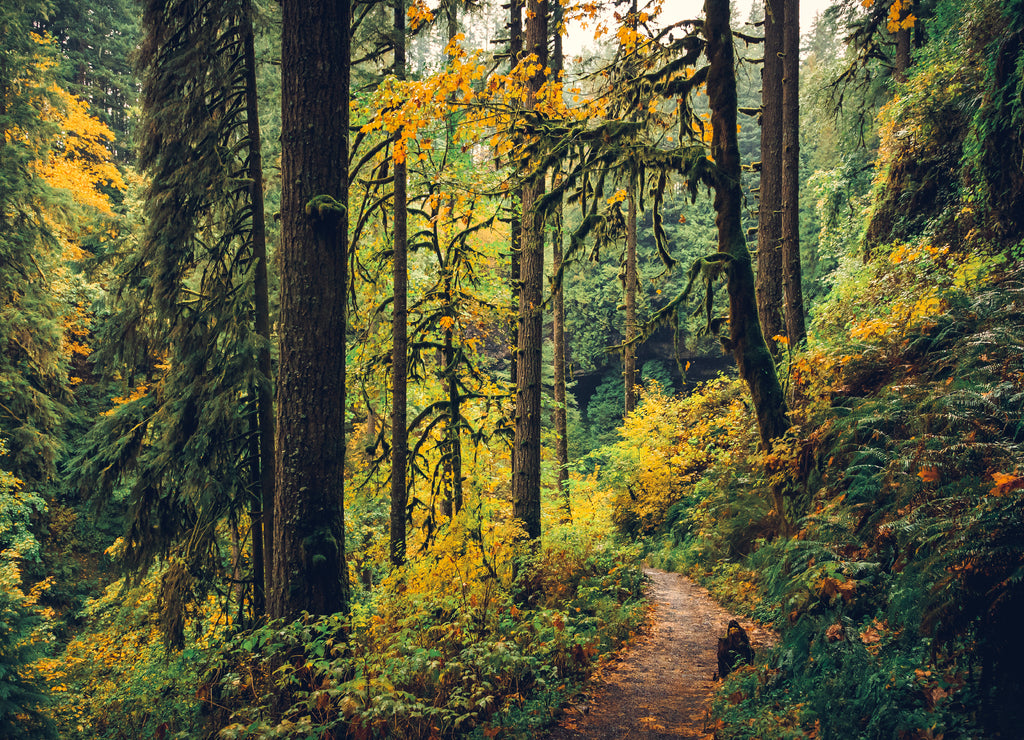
[[491, 656]]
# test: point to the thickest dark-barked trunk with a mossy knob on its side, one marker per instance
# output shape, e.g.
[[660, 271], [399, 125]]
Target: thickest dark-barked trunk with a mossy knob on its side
[[310, 570]]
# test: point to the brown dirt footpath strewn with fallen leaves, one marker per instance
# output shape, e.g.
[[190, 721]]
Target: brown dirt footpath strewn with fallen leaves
[[659, 686]]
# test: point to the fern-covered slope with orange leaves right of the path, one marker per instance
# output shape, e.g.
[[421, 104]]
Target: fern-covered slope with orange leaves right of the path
[[899, 592]]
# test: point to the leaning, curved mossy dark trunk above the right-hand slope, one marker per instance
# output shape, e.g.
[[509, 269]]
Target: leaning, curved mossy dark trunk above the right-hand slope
[[746, 340]]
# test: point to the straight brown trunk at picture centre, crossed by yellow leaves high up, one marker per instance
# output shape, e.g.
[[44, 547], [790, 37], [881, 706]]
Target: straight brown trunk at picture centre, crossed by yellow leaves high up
[[527, 448]]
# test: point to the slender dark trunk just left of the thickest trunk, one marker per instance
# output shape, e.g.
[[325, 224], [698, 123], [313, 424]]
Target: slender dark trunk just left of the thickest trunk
[[264, 529]]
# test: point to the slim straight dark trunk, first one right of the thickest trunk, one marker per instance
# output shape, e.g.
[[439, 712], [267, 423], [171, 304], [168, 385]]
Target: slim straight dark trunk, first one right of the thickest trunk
[[400, 331]]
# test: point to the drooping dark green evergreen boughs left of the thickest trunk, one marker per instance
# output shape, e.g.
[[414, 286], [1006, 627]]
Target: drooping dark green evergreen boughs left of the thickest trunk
[[182, 334]]
